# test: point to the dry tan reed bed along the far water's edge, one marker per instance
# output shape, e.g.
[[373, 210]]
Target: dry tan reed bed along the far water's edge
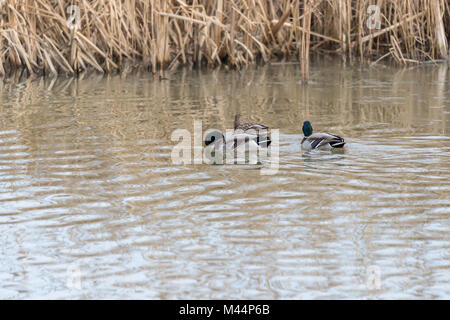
[[163, 34]]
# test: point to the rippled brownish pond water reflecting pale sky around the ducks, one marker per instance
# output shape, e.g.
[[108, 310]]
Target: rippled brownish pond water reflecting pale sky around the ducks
[[87, 187]]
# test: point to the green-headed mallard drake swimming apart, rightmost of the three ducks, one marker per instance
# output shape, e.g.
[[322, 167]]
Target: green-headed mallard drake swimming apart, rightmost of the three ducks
[[325, 141]]
